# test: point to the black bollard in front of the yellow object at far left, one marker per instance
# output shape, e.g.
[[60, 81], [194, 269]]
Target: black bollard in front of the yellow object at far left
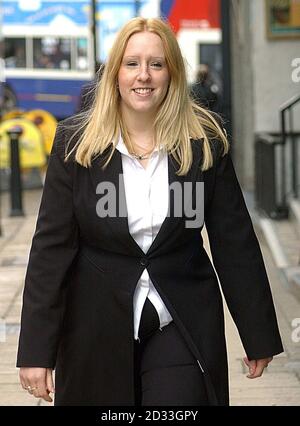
[[15, 178]]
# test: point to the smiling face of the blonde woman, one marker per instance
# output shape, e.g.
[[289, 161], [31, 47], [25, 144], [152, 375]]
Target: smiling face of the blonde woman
[[143, 76]]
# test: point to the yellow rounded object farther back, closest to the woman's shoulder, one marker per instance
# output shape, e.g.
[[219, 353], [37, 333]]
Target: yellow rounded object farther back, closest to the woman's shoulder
[[47, 124]]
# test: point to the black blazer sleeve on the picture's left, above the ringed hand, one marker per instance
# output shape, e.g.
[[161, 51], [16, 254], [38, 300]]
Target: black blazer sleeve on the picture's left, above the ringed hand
[[54, 246]]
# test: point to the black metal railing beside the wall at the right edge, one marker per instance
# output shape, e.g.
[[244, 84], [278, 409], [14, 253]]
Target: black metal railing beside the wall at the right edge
[[277, 159]]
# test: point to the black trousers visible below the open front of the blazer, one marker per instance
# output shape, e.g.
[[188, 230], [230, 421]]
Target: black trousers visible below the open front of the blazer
[[166, 372]]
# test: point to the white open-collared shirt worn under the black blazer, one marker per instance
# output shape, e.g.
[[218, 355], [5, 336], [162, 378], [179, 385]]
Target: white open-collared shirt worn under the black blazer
[[147, 200]]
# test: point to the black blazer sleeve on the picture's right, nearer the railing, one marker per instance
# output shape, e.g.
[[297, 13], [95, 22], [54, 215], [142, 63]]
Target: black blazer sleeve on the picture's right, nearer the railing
[[239, 264]]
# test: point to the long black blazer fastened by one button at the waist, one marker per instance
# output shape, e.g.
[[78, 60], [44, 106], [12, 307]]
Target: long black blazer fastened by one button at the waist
[[77, 312]]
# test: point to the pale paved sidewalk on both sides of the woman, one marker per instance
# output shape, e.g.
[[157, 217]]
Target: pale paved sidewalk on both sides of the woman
[[280, 385]]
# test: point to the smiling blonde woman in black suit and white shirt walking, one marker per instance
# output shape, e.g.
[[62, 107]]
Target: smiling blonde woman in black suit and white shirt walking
[[120, 296]]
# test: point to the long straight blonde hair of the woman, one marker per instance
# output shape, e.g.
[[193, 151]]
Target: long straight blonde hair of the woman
[[178, 119]]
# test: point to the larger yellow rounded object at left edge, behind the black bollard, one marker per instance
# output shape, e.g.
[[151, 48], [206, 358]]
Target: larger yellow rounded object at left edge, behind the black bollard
[[32, 153]]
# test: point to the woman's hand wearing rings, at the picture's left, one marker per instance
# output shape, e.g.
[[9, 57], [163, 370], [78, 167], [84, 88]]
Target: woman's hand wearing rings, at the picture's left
[[37, 381]]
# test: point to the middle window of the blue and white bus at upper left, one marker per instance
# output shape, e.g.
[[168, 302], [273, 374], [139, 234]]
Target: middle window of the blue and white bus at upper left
[[52, 52]]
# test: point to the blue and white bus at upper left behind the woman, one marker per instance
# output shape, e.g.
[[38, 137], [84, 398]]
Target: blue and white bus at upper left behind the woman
[[48, 48]]
